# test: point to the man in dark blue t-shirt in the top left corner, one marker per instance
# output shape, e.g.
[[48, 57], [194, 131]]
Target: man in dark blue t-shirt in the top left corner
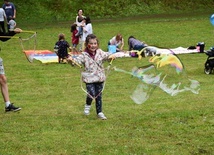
[[9, 9]]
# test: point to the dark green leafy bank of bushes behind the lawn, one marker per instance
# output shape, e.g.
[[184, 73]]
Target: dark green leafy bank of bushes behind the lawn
[[63, 10]]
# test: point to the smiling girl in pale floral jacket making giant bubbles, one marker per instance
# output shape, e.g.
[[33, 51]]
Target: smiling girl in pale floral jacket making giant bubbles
[[93, 76]]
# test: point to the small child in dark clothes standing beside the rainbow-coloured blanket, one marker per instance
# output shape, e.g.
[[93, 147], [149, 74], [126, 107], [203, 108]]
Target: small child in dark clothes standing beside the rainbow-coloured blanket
[[61, 48]]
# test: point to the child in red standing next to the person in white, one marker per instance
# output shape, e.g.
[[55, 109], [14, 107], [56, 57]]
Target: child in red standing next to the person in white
[[74, 37]]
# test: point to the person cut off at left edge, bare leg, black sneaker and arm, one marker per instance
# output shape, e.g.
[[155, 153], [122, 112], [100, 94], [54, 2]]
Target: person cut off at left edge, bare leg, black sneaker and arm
[[3, 80]]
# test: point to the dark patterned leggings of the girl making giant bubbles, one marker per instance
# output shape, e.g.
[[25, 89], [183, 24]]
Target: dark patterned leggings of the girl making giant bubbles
[[95, 90]]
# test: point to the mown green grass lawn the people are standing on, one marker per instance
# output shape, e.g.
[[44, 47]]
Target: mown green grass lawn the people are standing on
[[52, 122]]
